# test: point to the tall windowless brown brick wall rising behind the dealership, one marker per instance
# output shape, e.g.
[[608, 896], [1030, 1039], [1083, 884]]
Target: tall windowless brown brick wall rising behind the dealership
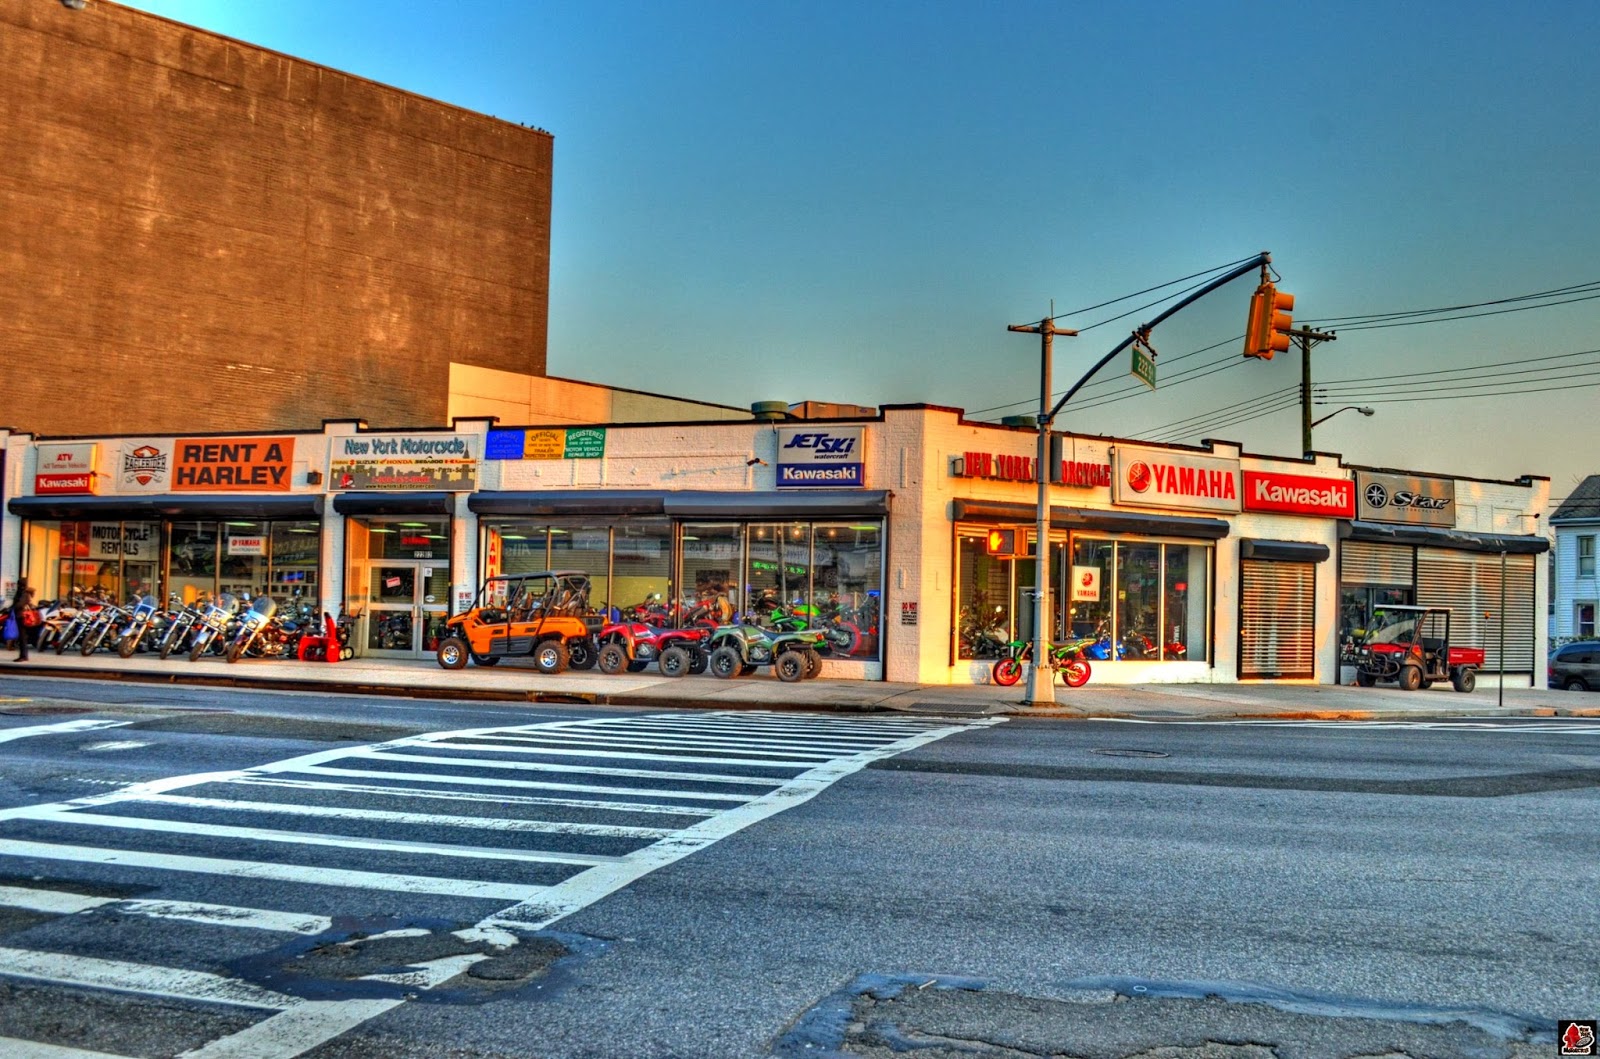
[[198, 234]]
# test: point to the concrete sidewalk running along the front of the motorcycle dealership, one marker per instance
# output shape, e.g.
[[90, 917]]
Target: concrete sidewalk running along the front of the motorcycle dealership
[[518, 682]]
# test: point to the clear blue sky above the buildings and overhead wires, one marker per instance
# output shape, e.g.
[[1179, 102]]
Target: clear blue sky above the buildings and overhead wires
[[775, 201]]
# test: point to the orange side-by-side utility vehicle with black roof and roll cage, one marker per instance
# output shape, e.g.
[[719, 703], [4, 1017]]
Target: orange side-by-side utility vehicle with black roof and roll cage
[[543, 615]]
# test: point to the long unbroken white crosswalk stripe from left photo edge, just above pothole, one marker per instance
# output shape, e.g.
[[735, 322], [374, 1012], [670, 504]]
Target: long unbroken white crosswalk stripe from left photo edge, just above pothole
[[260, 869]]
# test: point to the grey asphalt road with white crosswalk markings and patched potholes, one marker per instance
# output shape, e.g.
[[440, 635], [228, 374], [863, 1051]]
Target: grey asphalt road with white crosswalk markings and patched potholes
[[250, 874]]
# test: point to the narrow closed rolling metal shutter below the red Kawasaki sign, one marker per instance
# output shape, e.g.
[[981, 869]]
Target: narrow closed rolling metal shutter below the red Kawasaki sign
[[1278, 628]]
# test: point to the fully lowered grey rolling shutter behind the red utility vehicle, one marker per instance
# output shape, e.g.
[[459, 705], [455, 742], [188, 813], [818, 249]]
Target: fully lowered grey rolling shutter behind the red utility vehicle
[[1471, 586]]
